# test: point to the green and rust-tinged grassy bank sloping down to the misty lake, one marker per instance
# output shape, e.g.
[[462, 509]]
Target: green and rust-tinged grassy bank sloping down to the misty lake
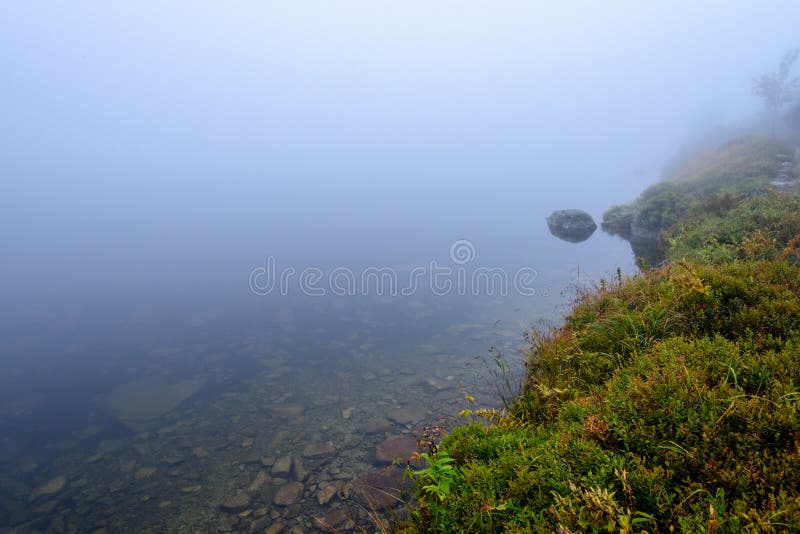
[[667, 401]]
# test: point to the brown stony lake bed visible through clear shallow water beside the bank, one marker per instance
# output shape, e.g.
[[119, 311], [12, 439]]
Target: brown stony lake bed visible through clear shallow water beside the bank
[[246, 436]]
